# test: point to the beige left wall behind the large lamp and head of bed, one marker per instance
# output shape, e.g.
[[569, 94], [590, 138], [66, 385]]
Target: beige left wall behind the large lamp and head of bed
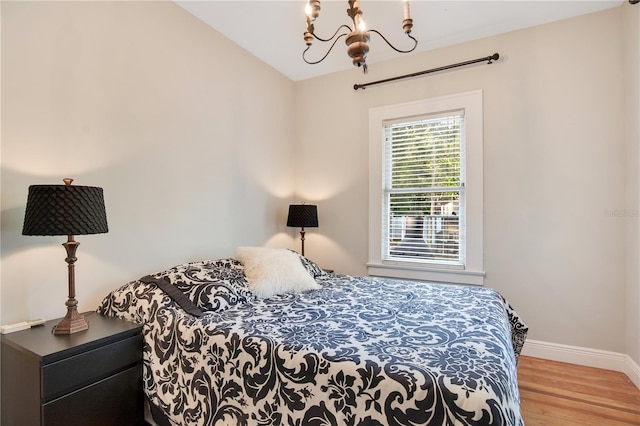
[[189, 135]]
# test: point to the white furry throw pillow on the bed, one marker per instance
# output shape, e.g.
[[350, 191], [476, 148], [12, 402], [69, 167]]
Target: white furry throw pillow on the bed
[[272, 271]]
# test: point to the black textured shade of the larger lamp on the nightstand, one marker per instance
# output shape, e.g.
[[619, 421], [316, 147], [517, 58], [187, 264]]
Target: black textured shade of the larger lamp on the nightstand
[[65, 210]]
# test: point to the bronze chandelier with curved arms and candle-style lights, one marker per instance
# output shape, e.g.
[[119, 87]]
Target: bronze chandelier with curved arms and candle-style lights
[[357, 38]]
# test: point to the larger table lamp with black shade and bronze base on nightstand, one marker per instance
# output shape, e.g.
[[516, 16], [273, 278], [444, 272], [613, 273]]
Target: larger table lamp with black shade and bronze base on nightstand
[[66, 210]]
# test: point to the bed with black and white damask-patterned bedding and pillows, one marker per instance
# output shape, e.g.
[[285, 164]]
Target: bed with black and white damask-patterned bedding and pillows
[[347, 350]]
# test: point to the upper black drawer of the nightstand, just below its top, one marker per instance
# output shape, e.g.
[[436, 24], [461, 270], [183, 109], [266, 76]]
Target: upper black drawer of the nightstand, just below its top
[[77, 371]]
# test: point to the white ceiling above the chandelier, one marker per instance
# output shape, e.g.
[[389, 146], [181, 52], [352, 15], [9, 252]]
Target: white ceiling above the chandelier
[[272, 29]]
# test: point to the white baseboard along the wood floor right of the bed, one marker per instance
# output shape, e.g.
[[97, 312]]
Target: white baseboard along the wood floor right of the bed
[[584, 356]]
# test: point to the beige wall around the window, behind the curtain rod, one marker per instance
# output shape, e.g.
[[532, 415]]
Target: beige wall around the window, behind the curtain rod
[[554, 161]]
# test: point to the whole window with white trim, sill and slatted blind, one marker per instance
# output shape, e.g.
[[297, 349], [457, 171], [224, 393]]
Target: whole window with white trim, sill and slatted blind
[[426, 190]]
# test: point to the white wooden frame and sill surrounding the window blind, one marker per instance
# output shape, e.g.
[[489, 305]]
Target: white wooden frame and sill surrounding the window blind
[[472, 271]]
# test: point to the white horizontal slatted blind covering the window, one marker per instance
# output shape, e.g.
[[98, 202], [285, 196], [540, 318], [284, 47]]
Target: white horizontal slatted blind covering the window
[[423, 194]]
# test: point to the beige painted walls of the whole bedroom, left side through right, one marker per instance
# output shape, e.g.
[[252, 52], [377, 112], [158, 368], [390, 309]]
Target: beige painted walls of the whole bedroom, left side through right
[[197, 145]]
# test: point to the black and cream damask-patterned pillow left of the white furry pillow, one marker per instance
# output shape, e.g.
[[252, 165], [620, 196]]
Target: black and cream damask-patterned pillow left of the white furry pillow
[[213, 285]]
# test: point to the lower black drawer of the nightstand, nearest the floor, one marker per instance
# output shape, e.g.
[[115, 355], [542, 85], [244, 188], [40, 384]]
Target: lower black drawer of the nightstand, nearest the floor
[[110, 402]]
